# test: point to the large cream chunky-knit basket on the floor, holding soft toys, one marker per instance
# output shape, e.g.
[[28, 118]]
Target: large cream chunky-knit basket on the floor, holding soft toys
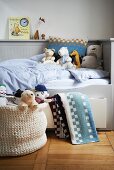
[[21, 132]]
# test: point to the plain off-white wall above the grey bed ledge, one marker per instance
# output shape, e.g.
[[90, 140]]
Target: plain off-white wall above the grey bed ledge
[[91, 19]]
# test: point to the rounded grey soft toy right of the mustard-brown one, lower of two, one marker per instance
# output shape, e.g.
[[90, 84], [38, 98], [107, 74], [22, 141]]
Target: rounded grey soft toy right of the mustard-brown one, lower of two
[[90, 61]]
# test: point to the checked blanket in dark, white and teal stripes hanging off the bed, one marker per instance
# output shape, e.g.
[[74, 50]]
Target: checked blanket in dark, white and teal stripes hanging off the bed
[[73, 117]]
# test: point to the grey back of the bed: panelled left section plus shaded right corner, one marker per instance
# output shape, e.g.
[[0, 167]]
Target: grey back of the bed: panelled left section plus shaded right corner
[[25, 49]]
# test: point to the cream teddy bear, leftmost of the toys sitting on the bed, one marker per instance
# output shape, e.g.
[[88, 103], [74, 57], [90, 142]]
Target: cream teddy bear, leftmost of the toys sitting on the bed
[[49, 58]]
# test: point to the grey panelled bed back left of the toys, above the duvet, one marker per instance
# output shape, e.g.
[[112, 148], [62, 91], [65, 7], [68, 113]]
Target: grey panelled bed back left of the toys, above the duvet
[[20, 49]]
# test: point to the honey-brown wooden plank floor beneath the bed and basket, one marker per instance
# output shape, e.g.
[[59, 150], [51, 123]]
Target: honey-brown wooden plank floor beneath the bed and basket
[[59, 154]]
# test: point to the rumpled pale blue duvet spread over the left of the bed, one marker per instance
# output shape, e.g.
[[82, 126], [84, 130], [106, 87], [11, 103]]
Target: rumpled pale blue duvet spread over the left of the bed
[[26, 74]]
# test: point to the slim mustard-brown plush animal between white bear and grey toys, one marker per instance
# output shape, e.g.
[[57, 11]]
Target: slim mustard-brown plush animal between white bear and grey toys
[[77, 58]]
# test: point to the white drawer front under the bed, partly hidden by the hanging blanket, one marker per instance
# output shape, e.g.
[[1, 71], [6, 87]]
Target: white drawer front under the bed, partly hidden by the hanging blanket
[[99, 109]]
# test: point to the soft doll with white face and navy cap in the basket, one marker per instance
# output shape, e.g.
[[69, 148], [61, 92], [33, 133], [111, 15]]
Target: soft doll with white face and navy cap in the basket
[[41, 94]]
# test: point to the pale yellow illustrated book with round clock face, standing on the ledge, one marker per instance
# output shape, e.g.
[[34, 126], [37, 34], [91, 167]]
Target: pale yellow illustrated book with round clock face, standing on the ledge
[[19, 28]]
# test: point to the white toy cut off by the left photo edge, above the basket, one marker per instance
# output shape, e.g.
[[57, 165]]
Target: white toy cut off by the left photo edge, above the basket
[[3, 100]]
